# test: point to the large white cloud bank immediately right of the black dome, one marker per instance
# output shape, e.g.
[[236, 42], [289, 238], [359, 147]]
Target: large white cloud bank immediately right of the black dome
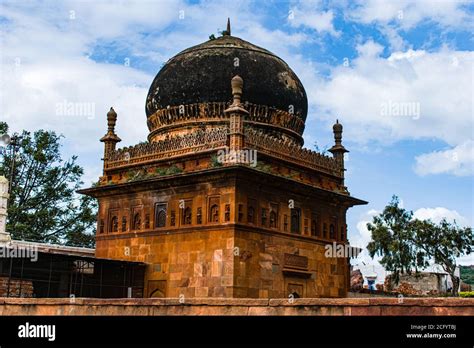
[[411, 94]]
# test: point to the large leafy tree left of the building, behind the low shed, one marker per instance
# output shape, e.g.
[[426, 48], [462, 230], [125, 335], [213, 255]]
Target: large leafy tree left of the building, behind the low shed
[[43, 204]]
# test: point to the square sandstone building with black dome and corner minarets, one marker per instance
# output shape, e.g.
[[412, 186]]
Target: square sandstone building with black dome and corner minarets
[[223, 200]]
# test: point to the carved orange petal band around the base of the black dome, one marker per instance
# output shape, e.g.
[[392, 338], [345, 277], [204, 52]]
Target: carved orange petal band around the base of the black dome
[[182, 114]]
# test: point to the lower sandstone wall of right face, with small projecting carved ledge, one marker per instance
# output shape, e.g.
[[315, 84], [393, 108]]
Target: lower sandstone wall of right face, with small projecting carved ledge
[[273, 266]]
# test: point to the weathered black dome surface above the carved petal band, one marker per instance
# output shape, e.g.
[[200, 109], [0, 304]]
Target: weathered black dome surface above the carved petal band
[[203, 73]]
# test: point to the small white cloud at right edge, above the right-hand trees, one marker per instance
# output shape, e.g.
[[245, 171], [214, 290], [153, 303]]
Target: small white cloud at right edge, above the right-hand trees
[[458, 161]]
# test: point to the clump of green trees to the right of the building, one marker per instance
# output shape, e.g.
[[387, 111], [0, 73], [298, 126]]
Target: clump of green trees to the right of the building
[[408, 244]]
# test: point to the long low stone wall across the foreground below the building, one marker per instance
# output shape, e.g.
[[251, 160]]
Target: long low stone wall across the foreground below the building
[[241, 307]]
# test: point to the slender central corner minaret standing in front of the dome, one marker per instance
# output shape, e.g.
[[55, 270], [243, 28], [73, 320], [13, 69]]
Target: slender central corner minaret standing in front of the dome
[[237, 114]]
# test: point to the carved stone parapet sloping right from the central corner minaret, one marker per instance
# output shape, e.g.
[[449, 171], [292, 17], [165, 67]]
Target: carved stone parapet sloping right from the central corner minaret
[[290, 152]]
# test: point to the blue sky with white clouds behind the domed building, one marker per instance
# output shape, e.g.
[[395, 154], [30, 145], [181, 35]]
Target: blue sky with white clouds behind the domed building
[[355, 58]]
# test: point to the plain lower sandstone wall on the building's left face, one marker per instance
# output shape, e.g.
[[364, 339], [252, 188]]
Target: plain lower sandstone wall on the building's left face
[[196, 264]]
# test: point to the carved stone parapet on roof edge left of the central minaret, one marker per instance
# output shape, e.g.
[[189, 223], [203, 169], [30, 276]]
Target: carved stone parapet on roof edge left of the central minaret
[[171, 147]]
